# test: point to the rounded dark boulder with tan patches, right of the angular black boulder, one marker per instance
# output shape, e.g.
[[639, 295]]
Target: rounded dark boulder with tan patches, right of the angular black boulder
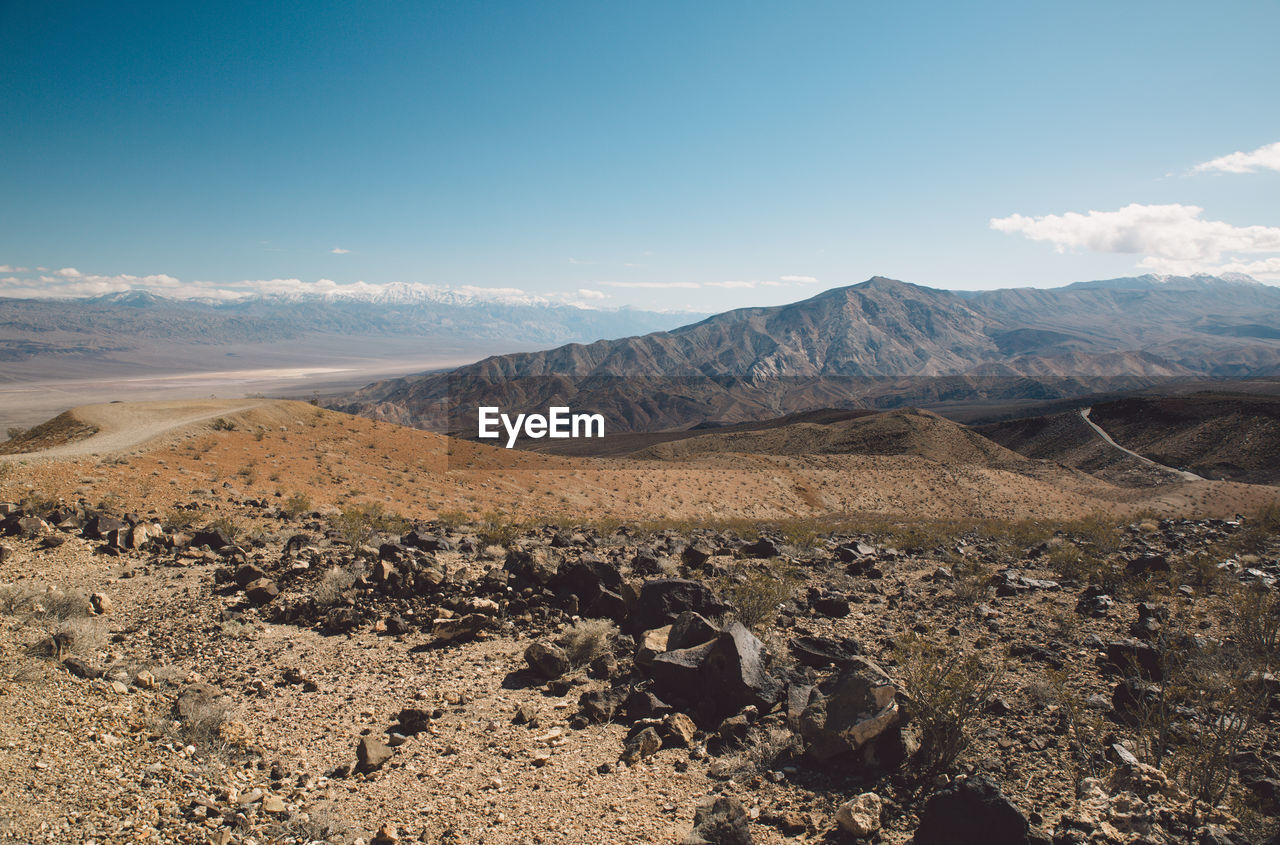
[[861, 709]]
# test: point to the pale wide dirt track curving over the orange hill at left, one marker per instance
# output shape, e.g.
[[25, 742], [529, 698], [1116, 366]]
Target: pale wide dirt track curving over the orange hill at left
[[126, 426]]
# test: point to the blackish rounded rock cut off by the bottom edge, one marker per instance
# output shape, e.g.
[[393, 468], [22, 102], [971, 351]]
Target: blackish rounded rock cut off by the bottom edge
[[972, 812]]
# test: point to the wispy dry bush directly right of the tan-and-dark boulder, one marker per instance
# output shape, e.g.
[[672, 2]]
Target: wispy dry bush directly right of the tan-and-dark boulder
[[948, 689]]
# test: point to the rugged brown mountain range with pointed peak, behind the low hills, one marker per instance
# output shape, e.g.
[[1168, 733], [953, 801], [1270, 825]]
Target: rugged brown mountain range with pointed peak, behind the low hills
[[881, 344]]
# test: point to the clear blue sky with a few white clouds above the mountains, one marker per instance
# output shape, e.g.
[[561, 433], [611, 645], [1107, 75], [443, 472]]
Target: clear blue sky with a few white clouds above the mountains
[[669, 156]]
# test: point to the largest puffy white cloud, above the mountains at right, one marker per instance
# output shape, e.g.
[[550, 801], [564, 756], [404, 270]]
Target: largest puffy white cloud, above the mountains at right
[[1172, 239]]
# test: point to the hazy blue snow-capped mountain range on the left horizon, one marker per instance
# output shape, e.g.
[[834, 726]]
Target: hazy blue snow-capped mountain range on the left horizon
[[120, 323]]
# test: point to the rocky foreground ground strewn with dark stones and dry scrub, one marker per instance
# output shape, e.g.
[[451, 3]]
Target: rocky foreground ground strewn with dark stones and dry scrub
[[254, 674]]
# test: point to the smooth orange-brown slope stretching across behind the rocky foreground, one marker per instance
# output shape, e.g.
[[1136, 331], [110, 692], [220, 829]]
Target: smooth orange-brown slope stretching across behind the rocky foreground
[[280, 450]]
